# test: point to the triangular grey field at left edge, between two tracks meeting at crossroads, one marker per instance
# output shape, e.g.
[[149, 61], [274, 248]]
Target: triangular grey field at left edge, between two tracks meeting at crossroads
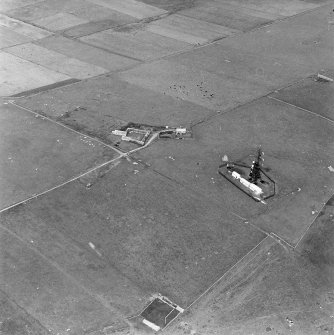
[[38, 155]]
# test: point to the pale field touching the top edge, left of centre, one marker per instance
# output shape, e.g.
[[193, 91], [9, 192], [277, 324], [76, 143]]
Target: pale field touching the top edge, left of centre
[[133, 8]]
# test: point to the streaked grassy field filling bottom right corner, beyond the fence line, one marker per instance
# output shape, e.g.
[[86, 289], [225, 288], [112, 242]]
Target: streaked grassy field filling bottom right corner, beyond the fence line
[[279, 292]]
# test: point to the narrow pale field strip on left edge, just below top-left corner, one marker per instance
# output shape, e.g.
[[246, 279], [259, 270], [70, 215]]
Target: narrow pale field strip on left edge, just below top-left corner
[[23, 28]]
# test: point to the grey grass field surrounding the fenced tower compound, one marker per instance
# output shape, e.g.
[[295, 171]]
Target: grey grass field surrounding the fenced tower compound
[[298, 150]]
